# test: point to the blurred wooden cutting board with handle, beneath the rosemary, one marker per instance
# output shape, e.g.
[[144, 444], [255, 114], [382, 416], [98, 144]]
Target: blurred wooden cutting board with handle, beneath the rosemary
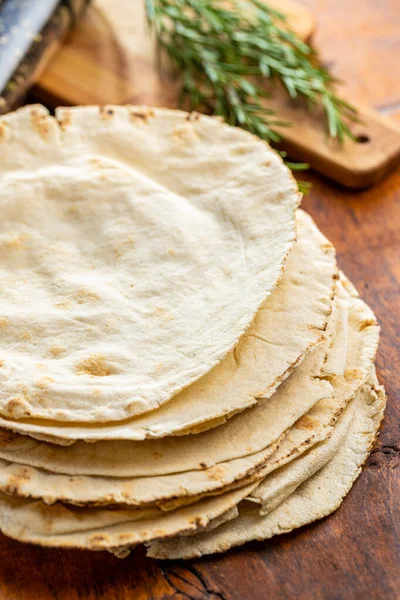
[[109, 59]]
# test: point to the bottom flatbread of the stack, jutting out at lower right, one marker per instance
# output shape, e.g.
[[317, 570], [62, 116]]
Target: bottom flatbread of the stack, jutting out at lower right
[[316, 498]]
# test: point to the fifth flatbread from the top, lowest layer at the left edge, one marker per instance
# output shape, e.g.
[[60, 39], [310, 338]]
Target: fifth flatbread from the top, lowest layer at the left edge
[[102, 529]]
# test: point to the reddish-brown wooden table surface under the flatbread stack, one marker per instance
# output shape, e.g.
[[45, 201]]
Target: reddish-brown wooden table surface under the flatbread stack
[[355, 553]]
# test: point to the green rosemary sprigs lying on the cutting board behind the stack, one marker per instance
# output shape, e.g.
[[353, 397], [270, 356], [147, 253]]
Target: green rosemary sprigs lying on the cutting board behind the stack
[[227, 52]]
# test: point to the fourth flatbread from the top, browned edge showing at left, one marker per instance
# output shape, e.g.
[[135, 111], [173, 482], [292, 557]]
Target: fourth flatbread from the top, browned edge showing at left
[[82, 490]]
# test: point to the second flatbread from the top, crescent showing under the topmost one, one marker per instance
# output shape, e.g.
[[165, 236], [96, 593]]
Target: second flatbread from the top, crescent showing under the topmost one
[[289, 324]]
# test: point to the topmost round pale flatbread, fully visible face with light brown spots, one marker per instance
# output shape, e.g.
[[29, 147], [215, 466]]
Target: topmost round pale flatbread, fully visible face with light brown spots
[[120, 222]]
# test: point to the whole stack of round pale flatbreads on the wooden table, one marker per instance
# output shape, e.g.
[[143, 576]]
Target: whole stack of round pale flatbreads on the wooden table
[[182, 364]]
